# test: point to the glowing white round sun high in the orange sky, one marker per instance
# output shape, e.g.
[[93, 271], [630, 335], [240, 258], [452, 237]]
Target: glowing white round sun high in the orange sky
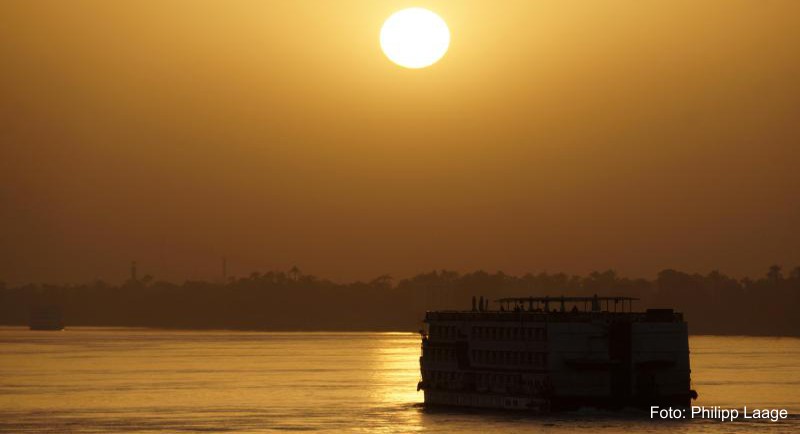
[[415, 38]]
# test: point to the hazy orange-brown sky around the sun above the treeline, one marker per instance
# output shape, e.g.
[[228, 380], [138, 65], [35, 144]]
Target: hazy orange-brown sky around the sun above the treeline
[[554, 135]]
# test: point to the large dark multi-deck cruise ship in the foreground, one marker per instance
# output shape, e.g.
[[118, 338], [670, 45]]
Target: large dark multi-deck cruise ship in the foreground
[[543, 354]]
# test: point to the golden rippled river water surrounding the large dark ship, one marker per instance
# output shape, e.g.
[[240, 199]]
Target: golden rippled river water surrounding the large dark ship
[[87, 380]]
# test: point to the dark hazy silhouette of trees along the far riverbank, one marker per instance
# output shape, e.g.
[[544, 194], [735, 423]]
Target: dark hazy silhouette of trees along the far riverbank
[[276, 300]]
